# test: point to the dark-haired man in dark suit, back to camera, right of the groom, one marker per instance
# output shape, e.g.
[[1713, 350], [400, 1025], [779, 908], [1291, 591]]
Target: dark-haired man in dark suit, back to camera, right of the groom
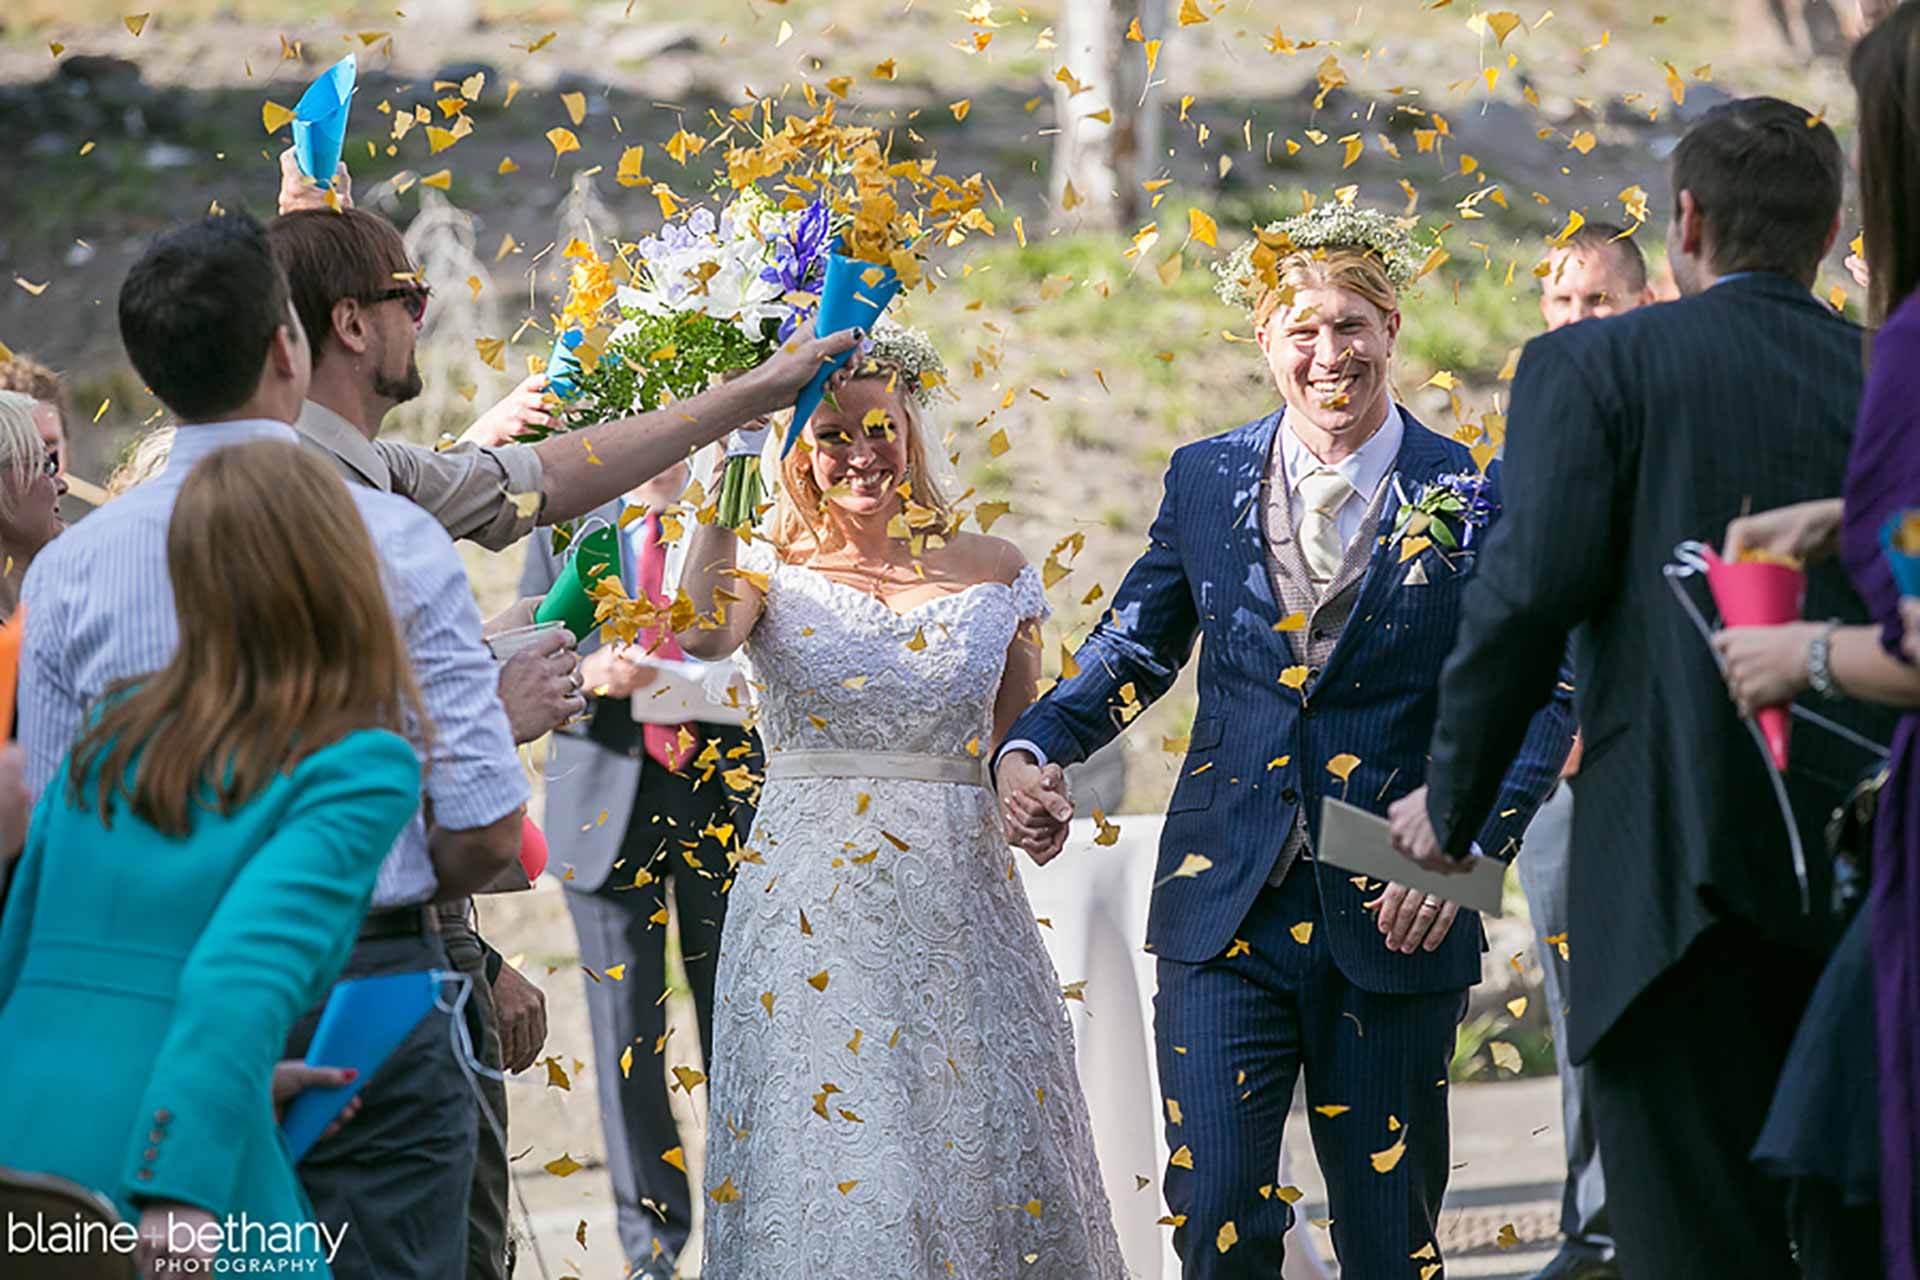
[[1692, 947]]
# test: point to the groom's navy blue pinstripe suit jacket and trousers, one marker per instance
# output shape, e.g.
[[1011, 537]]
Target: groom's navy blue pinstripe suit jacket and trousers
[[1236, 1024]]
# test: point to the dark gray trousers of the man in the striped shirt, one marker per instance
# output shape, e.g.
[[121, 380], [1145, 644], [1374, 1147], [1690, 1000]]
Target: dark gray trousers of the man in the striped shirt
[[400, 1173]]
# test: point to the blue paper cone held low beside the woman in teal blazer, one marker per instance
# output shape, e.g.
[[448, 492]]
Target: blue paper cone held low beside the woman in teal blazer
[[364, 1022]]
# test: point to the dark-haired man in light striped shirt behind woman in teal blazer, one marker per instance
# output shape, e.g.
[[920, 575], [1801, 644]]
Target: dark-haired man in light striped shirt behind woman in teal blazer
[[208, 323]]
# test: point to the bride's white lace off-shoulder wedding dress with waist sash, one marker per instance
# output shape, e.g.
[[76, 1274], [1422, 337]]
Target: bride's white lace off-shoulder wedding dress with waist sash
[[894, 1087]]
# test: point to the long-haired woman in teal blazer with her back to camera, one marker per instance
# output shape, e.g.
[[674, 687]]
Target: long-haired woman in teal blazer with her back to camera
[[197, 872]]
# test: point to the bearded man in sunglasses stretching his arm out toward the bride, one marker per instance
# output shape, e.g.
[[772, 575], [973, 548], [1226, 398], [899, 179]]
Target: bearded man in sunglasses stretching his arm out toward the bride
[[362, 302]]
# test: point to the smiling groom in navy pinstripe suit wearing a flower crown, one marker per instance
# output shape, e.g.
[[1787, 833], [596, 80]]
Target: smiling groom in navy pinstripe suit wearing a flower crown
[[1326, 627]]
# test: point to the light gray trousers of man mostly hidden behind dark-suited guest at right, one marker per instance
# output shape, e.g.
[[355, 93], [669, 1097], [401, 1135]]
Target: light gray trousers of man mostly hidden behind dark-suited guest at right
[[1543, 865]]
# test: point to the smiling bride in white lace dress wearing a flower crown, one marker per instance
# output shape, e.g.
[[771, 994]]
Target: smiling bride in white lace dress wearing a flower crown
[[894, 1083]]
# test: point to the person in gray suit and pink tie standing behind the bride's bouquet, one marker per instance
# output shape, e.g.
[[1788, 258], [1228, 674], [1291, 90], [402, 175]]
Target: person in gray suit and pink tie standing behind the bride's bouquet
[[631, 809]]
